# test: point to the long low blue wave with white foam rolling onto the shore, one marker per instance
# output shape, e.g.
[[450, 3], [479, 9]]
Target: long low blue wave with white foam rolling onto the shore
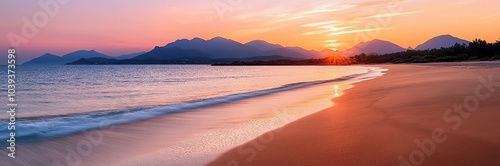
[[40, 128]]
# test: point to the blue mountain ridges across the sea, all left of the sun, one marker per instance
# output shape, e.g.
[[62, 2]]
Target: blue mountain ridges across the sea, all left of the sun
[[196, 50]]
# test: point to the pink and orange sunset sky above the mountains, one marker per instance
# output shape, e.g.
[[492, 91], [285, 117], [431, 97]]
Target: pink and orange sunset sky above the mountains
[[116, 27]]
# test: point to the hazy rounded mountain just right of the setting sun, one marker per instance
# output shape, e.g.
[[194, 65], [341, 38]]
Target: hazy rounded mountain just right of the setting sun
[[374, 47]]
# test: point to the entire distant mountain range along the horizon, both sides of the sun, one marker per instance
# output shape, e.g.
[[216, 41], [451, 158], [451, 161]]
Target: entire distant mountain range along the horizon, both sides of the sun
[[219, 49]]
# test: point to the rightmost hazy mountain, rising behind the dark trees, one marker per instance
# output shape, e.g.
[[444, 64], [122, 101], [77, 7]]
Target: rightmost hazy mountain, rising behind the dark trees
[[441, 41]]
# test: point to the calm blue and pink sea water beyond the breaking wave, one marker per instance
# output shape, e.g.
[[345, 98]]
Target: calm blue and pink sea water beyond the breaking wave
[[60, 90]]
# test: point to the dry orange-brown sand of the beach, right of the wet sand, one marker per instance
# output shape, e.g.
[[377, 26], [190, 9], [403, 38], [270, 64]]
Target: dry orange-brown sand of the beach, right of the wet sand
[[432, 114]]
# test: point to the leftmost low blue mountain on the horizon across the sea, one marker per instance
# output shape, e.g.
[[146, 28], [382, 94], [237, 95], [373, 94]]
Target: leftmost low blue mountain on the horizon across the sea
[[50, 59]]
